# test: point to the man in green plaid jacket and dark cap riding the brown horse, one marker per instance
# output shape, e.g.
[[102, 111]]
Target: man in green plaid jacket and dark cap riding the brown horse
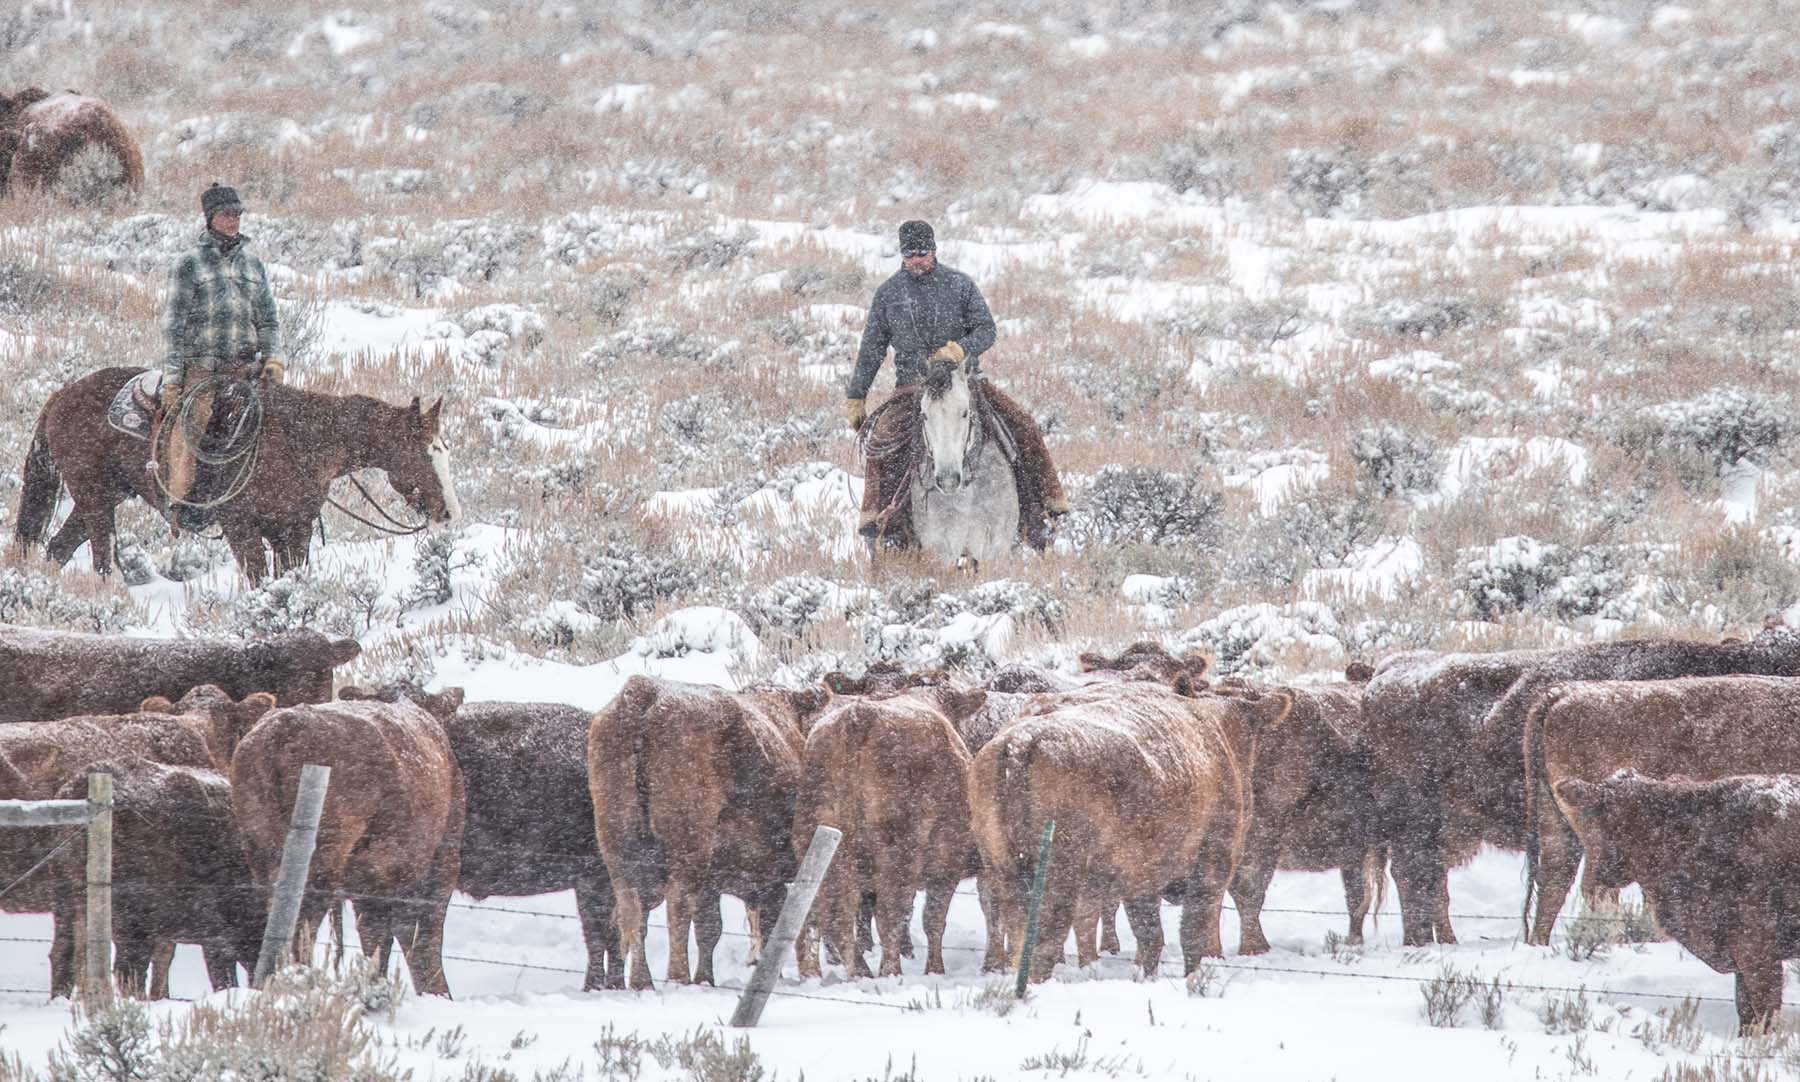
[[220, 327]]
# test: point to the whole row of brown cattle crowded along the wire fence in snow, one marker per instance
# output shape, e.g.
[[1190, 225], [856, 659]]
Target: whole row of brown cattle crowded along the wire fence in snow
[[1662, 761]]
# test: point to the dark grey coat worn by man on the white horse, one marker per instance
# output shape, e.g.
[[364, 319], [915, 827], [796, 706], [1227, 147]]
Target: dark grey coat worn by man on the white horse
[[917, 316]]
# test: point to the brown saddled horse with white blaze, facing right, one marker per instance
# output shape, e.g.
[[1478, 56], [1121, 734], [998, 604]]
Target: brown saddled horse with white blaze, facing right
[[307, 442]]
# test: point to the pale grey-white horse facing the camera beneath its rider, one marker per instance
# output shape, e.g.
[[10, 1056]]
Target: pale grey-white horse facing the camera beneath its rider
[[980, 519]]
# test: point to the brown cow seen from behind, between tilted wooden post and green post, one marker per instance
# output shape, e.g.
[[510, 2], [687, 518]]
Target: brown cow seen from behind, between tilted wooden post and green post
[[894, 777]]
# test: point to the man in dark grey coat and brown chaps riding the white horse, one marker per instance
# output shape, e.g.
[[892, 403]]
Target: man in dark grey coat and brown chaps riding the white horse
[[930, 312]]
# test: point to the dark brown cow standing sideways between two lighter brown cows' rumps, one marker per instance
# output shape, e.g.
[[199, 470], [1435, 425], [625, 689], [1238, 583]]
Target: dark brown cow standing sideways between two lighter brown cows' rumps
[[530, 824]]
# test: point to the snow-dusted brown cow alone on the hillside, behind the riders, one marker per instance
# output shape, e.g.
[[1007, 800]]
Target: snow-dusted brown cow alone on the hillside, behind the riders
[[42, 134]]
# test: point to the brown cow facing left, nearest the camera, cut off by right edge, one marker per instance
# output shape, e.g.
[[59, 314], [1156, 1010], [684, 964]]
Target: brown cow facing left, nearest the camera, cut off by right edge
[[1718, 863]]
